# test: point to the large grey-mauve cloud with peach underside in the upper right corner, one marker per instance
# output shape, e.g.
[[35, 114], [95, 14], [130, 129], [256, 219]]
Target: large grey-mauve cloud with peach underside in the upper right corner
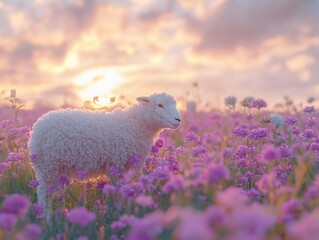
[[254, 32]]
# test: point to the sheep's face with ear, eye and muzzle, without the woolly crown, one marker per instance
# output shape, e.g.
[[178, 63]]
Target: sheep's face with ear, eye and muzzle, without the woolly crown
[[167, 114]]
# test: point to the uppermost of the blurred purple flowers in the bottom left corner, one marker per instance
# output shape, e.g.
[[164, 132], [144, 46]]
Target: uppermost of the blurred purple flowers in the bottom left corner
[[16, 204]]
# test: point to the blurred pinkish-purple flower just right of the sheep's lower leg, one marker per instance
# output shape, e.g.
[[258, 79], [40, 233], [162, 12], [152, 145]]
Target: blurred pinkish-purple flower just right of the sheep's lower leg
[[81, 216]]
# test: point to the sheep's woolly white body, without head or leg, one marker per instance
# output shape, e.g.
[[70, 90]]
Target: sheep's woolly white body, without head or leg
[[73, 140]]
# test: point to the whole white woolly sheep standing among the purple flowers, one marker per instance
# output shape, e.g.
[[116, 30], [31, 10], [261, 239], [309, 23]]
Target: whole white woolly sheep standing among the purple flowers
[[66, 141]]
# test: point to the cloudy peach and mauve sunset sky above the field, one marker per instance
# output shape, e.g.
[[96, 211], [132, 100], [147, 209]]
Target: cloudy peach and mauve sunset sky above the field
[[68, 51]]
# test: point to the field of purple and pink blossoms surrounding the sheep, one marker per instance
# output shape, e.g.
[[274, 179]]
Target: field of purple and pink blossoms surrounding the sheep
[[244, 173]]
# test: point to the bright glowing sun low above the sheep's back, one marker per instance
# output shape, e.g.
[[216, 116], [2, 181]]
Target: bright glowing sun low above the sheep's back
[[98, 82]]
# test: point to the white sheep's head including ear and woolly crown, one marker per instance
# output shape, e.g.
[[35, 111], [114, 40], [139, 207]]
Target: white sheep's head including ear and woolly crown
[[164, 109]]
